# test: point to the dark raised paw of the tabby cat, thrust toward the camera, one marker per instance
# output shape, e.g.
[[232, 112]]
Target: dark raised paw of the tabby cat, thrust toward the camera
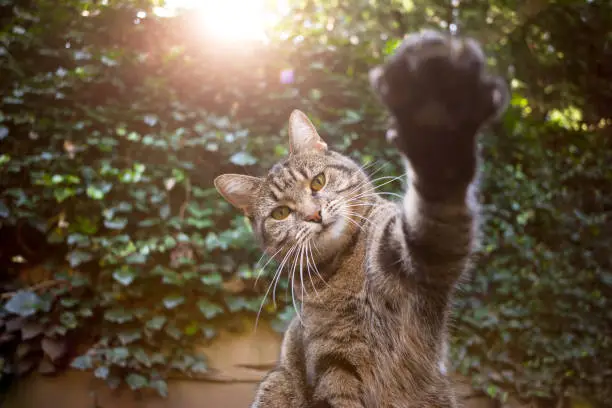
[[434, 81]]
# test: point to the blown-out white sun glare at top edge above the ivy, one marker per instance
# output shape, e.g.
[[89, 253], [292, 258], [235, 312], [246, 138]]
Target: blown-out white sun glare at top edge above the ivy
[[226, 20]]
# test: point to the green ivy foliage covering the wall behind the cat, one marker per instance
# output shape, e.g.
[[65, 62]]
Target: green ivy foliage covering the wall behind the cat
[[117, 256]]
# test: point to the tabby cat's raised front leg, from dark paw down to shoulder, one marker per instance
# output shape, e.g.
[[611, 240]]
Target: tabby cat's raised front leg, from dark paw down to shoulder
[[439, 97]]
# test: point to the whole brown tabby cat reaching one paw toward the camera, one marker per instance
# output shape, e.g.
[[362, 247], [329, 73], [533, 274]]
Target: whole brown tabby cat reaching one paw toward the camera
[[376, 278]]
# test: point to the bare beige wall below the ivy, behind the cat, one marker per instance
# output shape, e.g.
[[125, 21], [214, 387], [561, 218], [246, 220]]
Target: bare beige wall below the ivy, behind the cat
[[238, 362]]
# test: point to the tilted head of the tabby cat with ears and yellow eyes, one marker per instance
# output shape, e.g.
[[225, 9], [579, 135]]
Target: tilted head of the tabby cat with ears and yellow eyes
[[309, 206]]
